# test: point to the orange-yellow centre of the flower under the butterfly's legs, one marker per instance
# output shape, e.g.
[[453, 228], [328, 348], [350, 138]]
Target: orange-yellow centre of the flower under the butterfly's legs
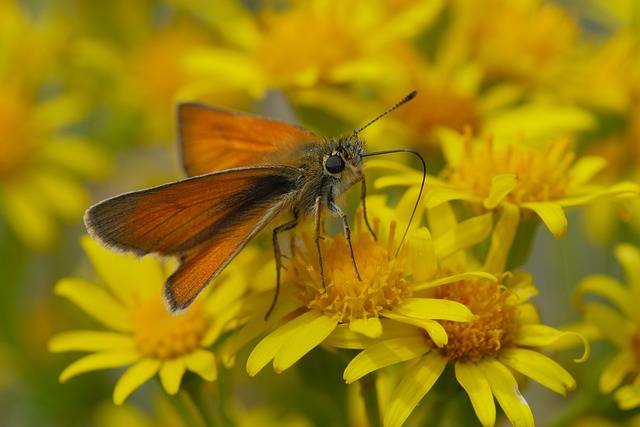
[[347, 298]]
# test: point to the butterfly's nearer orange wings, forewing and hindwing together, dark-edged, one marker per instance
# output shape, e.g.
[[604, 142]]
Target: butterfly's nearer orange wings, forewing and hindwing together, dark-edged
[[205, 220]]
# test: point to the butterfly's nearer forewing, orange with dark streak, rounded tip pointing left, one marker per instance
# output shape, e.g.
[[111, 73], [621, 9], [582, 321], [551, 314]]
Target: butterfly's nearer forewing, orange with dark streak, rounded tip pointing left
[[175, 218]]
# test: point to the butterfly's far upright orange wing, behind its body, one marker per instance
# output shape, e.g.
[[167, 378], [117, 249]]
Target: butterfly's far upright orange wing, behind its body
[[213, 140]]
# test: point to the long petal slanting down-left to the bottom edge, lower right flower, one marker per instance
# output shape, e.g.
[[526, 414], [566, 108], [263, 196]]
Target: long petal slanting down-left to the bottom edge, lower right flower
[[415, 384]]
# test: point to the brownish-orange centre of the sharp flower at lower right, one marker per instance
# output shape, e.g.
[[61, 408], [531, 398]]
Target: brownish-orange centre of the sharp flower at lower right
[[495, 326]]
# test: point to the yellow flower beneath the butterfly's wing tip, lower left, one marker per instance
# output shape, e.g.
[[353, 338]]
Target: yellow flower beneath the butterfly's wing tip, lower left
[[140, 332]]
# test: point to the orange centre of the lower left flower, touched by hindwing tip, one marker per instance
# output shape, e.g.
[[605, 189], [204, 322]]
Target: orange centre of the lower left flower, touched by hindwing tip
[[161, 335]]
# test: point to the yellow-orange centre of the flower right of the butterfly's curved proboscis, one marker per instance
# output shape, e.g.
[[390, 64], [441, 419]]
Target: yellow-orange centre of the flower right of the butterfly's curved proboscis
[[542, 176]]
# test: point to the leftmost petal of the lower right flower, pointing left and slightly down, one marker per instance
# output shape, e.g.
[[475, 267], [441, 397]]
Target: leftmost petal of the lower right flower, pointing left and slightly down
[[383, 354]]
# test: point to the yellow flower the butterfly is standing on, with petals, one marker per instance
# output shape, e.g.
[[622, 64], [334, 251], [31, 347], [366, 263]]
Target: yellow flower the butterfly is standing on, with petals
[[381, 303]]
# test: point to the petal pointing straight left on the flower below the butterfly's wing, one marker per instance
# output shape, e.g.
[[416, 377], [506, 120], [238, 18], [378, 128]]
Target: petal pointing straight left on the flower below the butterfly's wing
[[90, 341]]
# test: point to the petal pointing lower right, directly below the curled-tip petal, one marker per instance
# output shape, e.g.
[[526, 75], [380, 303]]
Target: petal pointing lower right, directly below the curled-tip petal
[[539, 368]]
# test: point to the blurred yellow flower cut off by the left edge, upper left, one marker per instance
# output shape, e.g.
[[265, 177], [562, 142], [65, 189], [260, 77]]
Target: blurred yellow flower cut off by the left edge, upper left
[[40, 163]]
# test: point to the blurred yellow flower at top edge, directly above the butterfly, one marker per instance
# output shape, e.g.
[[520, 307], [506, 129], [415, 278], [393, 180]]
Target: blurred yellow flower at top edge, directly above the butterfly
[[303, 44]]
